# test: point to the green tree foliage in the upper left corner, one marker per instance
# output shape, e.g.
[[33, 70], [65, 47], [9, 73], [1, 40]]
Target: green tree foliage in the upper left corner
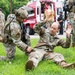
[[6, 5]]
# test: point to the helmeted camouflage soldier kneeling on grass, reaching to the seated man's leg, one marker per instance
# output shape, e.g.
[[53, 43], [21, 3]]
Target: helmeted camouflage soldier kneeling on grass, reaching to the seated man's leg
[[13, 30]]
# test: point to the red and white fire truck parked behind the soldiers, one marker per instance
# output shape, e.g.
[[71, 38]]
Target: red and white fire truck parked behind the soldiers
[[36, 13]]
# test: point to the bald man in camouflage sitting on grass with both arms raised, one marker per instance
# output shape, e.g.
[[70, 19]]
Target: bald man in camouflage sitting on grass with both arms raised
[[45, 47]]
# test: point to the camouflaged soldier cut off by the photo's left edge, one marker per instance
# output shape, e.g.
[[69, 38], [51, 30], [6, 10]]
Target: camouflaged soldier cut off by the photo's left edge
[[2, 21]]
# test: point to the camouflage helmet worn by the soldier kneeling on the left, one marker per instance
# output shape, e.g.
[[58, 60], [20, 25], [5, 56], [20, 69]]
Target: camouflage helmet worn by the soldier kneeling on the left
[[21, 12]]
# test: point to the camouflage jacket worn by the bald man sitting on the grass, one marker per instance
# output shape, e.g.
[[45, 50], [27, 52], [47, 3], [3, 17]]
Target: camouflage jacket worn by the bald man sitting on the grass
[[47, 41]]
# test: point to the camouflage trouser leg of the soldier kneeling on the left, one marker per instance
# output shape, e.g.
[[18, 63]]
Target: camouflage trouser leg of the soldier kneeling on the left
[[10, 52]]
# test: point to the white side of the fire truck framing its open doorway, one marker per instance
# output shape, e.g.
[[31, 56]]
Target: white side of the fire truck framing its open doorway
[[40, 8]]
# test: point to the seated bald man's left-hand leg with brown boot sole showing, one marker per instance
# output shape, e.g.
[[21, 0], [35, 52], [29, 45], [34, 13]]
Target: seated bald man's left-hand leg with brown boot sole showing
[[34, 59]]
